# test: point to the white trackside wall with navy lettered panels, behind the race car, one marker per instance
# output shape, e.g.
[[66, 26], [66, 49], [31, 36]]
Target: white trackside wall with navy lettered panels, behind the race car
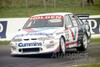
[[10, 26]]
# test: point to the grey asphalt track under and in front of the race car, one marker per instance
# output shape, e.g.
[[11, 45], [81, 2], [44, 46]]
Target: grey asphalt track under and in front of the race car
[[72, 57]]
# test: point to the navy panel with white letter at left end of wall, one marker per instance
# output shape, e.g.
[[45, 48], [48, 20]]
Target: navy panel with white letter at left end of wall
[[3, 27]]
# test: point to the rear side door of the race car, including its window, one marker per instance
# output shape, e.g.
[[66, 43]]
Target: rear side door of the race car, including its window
[[74, 30]]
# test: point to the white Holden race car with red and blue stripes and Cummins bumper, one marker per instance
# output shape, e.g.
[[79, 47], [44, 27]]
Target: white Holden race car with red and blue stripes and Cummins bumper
[[51, 32]]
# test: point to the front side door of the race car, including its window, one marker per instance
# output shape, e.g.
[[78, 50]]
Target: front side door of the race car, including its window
[[69, 31]]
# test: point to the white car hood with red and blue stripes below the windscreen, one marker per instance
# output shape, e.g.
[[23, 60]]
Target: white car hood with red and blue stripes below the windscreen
[[37, 32]]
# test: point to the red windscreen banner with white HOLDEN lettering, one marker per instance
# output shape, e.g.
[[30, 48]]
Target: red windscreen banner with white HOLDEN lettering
[[46, 17]]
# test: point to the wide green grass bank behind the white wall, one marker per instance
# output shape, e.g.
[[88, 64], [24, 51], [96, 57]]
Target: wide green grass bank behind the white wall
[[36, 7]]
